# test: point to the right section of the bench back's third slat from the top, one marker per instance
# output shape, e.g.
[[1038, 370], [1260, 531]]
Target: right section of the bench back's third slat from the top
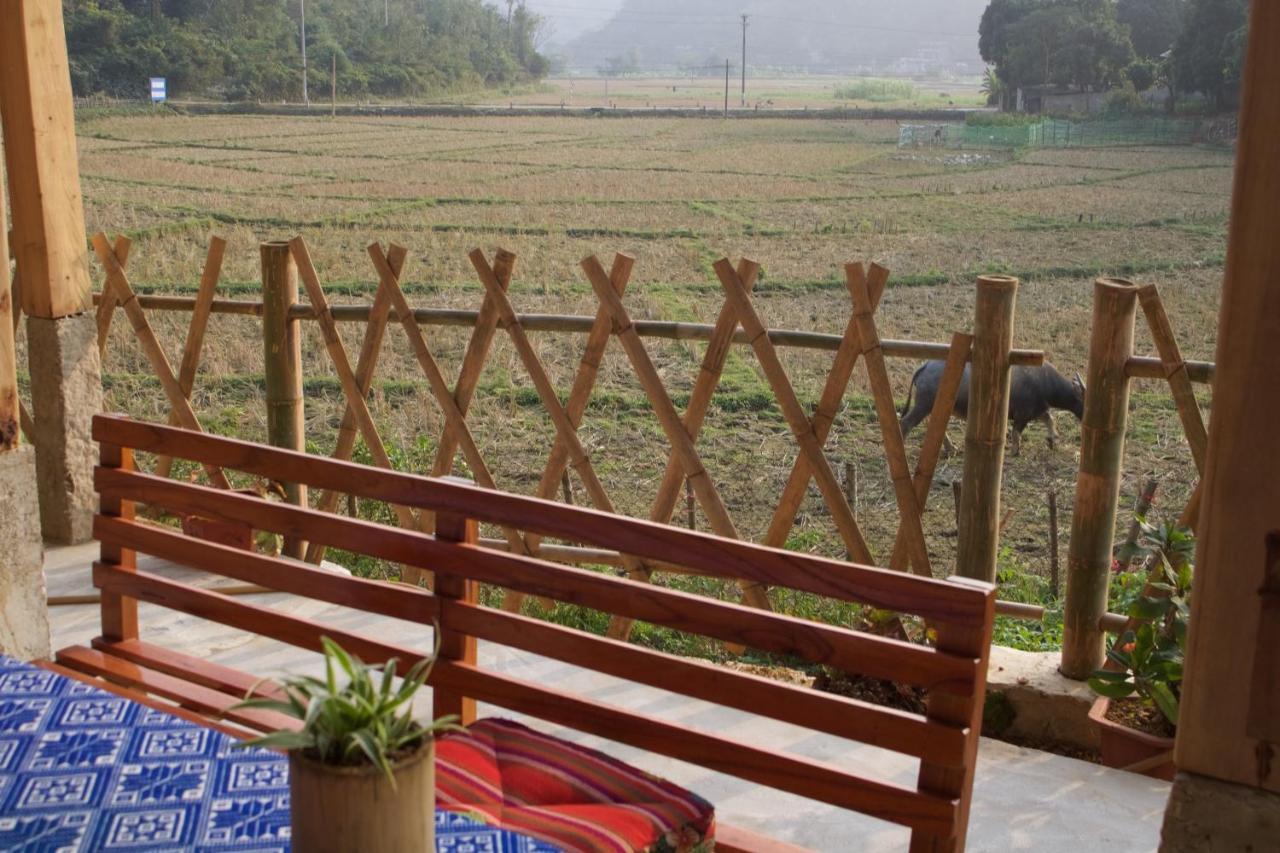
[[840, 717]]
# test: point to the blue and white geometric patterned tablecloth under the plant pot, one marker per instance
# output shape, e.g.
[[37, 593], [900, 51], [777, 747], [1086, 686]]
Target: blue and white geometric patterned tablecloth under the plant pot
[[83, 769]]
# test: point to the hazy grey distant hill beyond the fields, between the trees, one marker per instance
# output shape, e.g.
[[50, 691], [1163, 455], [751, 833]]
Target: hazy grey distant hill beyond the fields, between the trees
[[811, 35]]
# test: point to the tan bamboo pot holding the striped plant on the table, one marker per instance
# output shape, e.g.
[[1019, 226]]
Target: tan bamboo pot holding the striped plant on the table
[[355, 809]]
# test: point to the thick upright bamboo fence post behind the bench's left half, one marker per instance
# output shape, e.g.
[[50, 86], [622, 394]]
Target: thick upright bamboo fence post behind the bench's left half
[[282, 352]]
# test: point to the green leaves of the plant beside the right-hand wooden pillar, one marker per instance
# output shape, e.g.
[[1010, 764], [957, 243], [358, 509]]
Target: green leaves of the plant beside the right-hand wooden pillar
[[1151, 659]]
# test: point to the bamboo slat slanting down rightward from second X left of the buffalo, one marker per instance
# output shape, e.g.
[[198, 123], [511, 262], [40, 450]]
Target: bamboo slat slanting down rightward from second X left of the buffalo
[[801, 425]]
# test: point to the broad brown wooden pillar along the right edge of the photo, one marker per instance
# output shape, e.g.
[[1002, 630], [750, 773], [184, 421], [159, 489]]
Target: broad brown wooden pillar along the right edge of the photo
[[1228, 752]]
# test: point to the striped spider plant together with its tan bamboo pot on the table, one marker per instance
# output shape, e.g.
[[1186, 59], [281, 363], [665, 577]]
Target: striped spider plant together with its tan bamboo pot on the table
[[362, 769]]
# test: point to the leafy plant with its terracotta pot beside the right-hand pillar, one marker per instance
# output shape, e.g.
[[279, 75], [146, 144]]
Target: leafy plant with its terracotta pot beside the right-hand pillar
[[1141, 687]]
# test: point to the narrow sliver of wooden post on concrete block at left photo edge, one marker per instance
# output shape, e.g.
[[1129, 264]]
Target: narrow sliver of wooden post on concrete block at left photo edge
[[24, 615]]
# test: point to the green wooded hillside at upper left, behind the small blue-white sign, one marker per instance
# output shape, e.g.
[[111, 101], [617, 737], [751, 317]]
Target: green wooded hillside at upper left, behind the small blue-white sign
[[250, 49]]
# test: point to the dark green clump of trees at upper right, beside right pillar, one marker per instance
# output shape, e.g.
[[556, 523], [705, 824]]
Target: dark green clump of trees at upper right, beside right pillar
[[1096, 45]]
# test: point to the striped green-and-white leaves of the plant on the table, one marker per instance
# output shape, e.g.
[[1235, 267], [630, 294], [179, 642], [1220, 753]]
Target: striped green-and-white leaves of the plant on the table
[[368, 719]]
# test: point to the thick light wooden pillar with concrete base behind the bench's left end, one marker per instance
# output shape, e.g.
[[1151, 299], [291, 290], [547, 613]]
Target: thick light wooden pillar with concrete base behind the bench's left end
[[51, 248]]
